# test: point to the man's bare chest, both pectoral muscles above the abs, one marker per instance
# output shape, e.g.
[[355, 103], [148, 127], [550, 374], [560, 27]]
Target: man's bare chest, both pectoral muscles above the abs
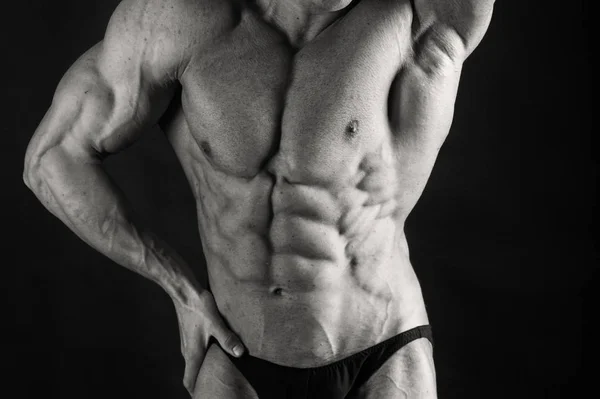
[[252, 103]]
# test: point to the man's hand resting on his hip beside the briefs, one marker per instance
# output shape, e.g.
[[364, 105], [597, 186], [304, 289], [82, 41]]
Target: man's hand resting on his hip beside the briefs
[[199, 319]]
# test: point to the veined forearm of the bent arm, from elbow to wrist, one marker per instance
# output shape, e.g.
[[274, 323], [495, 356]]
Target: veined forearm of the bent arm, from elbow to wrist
[[76, 189]]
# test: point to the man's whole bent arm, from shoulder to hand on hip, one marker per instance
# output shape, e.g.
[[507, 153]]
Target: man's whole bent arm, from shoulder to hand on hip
[[113, 93]]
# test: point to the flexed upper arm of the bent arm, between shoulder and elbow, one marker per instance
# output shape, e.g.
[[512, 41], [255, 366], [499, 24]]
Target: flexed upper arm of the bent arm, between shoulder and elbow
[[109, 96]]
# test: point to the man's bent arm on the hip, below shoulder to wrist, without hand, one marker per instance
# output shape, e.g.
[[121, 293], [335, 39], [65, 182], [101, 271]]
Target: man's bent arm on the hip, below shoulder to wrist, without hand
[[102, 104]]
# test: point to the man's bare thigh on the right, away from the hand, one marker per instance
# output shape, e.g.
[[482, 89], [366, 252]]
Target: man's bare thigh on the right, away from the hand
[[408, 374]]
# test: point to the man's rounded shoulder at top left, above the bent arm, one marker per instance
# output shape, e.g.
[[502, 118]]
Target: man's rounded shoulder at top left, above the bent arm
[[163, 33]]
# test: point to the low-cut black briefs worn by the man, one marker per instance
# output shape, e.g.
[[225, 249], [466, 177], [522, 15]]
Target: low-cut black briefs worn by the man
[[331, 381]]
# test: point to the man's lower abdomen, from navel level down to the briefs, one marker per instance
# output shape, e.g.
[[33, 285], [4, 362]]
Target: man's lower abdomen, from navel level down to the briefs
[[336, 316]]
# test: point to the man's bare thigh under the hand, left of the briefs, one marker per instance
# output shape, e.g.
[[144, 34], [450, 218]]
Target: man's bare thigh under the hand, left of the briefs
[[219, 378]]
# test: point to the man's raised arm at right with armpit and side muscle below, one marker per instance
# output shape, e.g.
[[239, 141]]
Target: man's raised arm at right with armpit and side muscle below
[[445, 34]]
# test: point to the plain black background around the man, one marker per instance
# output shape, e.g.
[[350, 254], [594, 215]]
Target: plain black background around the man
[[501, 239]]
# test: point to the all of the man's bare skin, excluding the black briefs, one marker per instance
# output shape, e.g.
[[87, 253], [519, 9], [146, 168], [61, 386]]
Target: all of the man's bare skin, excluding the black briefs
[[307, 130]]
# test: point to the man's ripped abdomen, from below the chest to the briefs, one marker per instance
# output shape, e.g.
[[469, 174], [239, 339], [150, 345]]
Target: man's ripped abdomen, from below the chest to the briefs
[[306, 275]]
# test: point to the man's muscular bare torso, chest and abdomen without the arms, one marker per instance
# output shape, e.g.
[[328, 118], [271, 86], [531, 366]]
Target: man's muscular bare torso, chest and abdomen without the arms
[[292, 159]]
